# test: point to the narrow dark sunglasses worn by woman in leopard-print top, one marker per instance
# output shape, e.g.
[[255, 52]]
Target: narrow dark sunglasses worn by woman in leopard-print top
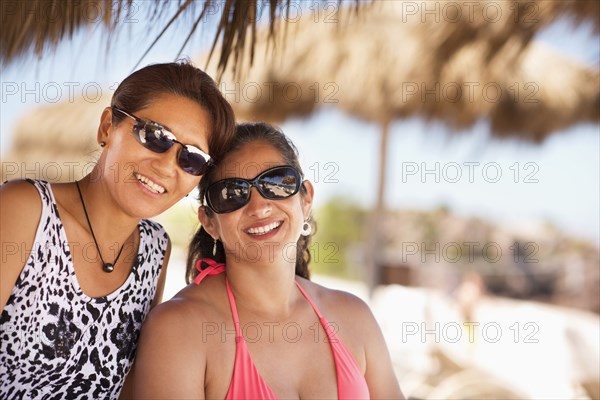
[[159, 139]]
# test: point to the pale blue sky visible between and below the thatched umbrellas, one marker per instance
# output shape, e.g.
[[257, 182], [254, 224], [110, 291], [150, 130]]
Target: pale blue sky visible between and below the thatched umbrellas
[[557, 181]]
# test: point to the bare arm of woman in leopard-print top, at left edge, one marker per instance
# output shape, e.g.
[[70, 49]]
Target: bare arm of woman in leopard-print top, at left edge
[[20, 210]]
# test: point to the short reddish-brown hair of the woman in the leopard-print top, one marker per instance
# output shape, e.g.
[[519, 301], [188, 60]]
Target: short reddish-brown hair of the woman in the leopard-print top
[[181, 78]]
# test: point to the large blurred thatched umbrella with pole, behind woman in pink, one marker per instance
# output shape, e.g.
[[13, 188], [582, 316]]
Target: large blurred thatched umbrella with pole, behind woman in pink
[[376, 68]]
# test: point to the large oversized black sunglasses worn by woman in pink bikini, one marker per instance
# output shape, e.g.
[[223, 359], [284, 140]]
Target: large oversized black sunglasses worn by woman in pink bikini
[[231, 194]]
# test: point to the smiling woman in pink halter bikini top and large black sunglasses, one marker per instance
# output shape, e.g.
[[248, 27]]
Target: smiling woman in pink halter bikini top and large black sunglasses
[[251, 325]]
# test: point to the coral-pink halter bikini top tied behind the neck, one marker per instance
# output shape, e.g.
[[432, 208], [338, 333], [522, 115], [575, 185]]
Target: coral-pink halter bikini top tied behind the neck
[[247, 383]]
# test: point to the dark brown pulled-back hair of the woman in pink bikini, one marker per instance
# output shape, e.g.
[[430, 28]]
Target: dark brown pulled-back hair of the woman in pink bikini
[[201, 245]]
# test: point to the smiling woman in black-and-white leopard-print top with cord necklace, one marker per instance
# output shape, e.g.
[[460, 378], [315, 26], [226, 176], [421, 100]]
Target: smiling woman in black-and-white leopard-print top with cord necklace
[[81, 265]]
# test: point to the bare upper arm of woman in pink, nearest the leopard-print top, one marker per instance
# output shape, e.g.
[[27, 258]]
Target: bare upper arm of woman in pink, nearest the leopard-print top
[[170, 361]]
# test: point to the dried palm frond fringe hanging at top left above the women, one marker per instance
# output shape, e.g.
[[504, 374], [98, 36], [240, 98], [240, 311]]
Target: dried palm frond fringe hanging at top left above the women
[[38, 26]]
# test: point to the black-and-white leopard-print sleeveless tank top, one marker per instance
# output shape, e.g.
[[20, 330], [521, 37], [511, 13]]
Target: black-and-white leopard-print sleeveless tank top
[[55, 341]]
